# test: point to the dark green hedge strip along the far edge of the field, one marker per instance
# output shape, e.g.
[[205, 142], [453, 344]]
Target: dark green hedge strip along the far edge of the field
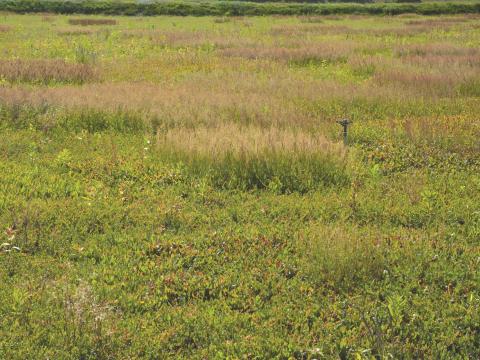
[[232, 8]]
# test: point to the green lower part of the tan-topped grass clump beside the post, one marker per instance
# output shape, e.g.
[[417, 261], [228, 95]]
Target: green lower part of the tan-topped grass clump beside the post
[[278, 172]]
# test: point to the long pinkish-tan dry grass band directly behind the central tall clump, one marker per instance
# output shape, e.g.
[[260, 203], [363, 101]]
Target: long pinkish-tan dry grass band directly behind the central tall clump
[[240, 98]]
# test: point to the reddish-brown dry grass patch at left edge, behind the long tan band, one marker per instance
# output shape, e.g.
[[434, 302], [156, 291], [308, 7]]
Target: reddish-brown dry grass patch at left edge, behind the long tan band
[[46, 71]]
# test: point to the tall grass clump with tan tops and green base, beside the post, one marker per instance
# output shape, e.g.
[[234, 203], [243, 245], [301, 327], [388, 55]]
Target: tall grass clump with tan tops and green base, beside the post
[[246, 158]]
